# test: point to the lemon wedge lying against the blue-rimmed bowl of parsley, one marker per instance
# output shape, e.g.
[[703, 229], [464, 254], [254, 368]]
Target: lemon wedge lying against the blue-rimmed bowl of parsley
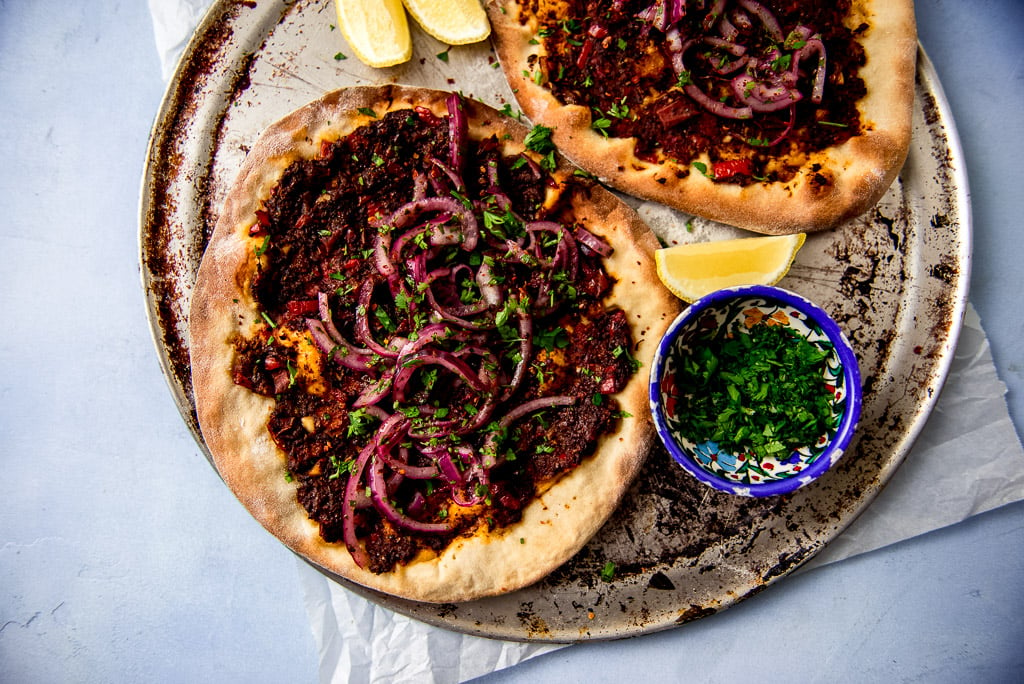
[[693, 271]]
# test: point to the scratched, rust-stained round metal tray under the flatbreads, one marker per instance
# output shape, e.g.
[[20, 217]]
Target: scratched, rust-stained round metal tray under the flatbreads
[[895, 279]]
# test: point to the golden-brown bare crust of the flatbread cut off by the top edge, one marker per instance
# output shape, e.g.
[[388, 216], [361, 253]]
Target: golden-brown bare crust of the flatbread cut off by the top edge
[[860, 172]]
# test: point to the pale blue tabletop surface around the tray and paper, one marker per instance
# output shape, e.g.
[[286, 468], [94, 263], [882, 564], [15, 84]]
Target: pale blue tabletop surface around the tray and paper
[[123, 558]]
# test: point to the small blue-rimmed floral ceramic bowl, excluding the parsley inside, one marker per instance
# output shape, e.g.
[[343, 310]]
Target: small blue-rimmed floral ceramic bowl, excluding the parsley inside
[[745, 475]]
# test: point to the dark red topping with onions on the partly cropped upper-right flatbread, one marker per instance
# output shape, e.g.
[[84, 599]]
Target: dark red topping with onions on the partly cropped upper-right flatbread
[[734, 79]]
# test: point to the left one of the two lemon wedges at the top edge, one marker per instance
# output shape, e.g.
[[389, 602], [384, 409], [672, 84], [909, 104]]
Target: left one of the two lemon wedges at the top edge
[[376, 30]]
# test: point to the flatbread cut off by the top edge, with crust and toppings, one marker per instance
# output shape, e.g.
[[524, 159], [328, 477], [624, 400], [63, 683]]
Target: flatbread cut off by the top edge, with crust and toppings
[[776, 116]]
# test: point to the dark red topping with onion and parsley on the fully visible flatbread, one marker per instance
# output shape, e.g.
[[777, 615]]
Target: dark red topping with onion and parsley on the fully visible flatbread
[[464, 351]]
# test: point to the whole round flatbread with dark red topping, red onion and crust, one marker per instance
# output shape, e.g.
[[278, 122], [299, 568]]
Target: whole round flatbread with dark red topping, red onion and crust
[[421, 344]]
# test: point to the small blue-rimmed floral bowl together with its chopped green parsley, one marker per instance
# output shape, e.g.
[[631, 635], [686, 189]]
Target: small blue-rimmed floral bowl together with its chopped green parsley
[[755, 391]]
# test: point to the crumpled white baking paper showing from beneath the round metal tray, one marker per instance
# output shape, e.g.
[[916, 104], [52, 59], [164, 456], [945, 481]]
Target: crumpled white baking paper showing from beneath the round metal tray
[[357, 639]]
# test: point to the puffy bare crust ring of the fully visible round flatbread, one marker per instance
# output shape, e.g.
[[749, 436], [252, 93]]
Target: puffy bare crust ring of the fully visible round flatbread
[[558, 524]]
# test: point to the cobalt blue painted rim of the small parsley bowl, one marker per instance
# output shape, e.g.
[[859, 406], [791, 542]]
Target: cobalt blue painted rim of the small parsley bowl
[[851, 374]]
